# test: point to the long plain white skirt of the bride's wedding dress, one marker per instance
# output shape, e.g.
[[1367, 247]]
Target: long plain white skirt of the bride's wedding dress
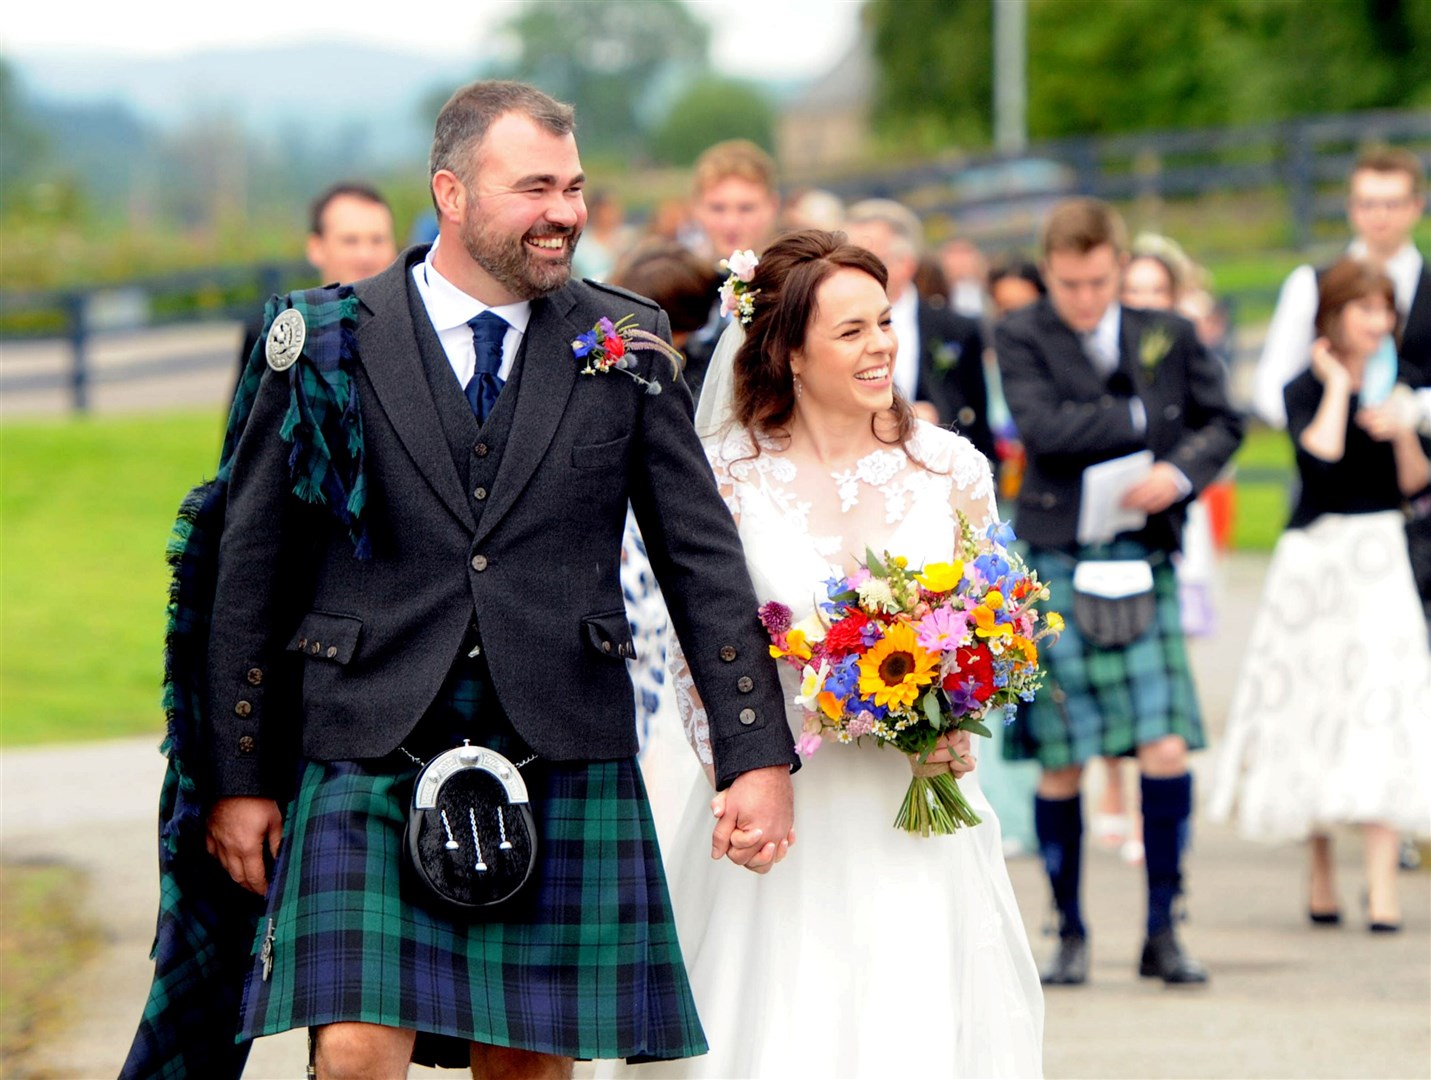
[[868, 953]]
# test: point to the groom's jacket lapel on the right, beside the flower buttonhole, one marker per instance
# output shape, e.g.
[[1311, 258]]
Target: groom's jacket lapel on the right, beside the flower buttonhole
[[549, 377]]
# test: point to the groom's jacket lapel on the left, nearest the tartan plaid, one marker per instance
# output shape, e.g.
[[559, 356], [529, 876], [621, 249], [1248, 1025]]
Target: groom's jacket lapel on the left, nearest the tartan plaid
[[389, 351]]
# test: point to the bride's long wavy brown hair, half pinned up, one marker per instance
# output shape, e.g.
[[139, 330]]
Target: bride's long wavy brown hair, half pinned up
[[788, 280]]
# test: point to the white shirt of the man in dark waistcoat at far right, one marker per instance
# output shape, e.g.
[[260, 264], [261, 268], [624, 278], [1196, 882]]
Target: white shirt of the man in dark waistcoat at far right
[[1289, 347]]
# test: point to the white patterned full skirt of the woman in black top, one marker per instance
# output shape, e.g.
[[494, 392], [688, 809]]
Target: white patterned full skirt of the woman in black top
[[1332, 716]]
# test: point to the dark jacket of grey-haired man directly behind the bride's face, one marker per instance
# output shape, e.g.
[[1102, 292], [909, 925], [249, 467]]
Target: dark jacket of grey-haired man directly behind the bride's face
[[952, 375]]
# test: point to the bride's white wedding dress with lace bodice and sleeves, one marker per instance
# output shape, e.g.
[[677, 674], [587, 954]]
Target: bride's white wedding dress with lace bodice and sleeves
[[868, 952]]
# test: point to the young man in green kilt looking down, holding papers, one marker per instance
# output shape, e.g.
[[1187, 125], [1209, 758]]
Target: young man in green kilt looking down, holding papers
[[1087, 383]]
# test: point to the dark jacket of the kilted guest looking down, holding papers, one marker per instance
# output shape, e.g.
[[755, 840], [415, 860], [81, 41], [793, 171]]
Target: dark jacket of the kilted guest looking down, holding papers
[[1070, 417]]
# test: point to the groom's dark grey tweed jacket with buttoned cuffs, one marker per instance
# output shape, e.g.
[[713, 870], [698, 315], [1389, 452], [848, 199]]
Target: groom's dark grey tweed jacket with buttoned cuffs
[[533, 557]]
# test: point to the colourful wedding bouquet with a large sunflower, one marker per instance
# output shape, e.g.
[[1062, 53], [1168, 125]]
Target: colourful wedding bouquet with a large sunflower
[[907, 657]]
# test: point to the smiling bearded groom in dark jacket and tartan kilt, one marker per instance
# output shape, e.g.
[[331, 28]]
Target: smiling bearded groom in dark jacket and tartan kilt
[[469, 590]]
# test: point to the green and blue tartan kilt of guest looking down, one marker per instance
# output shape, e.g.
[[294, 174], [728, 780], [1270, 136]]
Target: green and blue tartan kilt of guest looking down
[[1107, 702]]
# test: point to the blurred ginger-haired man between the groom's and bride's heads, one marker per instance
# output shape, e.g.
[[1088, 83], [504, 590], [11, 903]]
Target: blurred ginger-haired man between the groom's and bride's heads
[[735, 200]]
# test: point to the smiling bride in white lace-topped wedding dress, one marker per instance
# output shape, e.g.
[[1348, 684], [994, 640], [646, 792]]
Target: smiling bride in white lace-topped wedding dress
[[868, 952]]
